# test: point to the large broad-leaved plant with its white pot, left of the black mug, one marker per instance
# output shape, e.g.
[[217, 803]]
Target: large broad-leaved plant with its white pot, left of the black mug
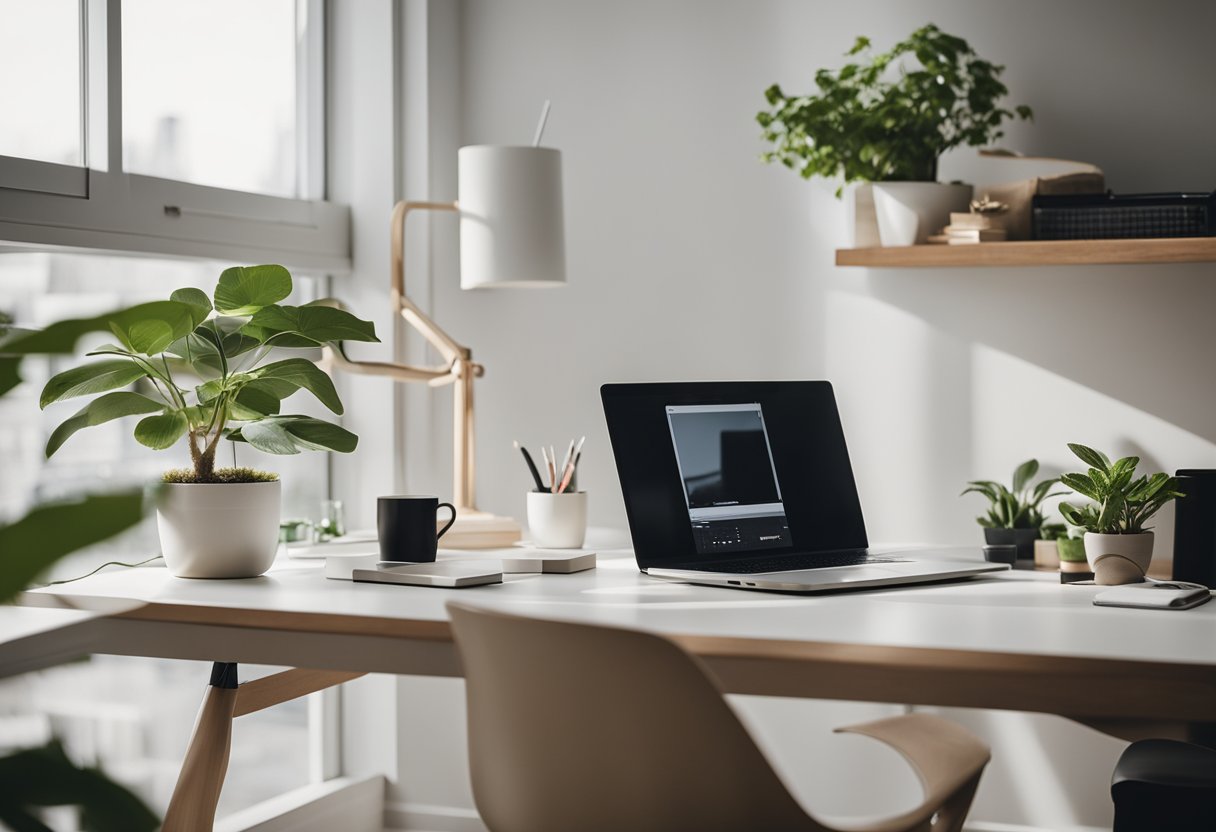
[[206, 376]]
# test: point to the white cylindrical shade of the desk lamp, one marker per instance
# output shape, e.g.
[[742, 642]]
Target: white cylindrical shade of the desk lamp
[[511, 228]]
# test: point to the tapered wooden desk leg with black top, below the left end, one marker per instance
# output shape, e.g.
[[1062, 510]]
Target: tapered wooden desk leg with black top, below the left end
[[198, 794]]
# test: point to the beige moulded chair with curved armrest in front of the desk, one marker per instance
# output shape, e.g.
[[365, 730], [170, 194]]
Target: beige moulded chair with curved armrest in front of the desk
[[576, 728]]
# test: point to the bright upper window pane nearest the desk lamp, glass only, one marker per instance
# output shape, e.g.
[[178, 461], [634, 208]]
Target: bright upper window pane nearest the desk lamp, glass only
[[210, 102]]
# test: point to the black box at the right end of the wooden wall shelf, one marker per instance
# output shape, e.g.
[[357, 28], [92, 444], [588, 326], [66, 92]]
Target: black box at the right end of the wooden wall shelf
[[1114, 217]]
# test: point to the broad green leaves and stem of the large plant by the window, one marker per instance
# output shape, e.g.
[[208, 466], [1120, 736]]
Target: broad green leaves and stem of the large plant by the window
[[204, 366]]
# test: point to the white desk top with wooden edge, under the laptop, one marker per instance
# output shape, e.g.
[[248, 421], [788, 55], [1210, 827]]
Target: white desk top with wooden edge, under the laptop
[[1018, 642]]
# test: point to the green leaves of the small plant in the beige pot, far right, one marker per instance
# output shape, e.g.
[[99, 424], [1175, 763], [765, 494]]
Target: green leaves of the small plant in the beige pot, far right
[[1123, 503]]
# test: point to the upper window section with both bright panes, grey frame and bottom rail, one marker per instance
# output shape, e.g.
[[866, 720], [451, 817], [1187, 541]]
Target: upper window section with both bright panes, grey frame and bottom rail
[[205, 140]]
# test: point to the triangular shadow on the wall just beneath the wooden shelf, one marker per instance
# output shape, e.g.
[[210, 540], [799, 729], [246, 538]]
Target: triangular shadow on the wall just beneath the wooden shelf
[[1145, 336]]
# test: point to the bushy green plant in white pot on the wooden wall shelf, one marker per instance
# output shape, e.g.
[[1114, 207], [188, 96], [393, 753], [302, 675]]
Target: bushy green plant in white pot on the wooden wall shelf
[[886, 120]]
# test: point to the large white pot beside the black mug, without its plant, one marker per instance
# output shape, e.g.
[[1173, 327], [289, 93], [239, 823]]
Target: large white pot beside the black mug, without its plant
[[219, 530]]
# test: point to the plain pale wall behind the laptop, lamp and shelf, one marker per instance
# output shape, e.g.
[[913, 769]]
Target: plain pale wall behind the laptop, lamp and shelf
[[690, 260]]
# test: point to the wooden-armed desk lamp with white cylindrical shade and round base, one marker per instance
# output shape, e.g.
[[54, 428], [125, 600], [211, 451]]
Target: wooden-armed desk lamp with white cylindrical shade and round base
[[511, 235]]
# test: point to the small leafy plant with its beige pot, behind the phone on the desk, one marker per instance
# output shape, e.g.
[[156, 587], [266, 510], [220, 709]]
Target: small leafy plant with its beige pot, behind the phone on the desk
[[1118, 546]]
